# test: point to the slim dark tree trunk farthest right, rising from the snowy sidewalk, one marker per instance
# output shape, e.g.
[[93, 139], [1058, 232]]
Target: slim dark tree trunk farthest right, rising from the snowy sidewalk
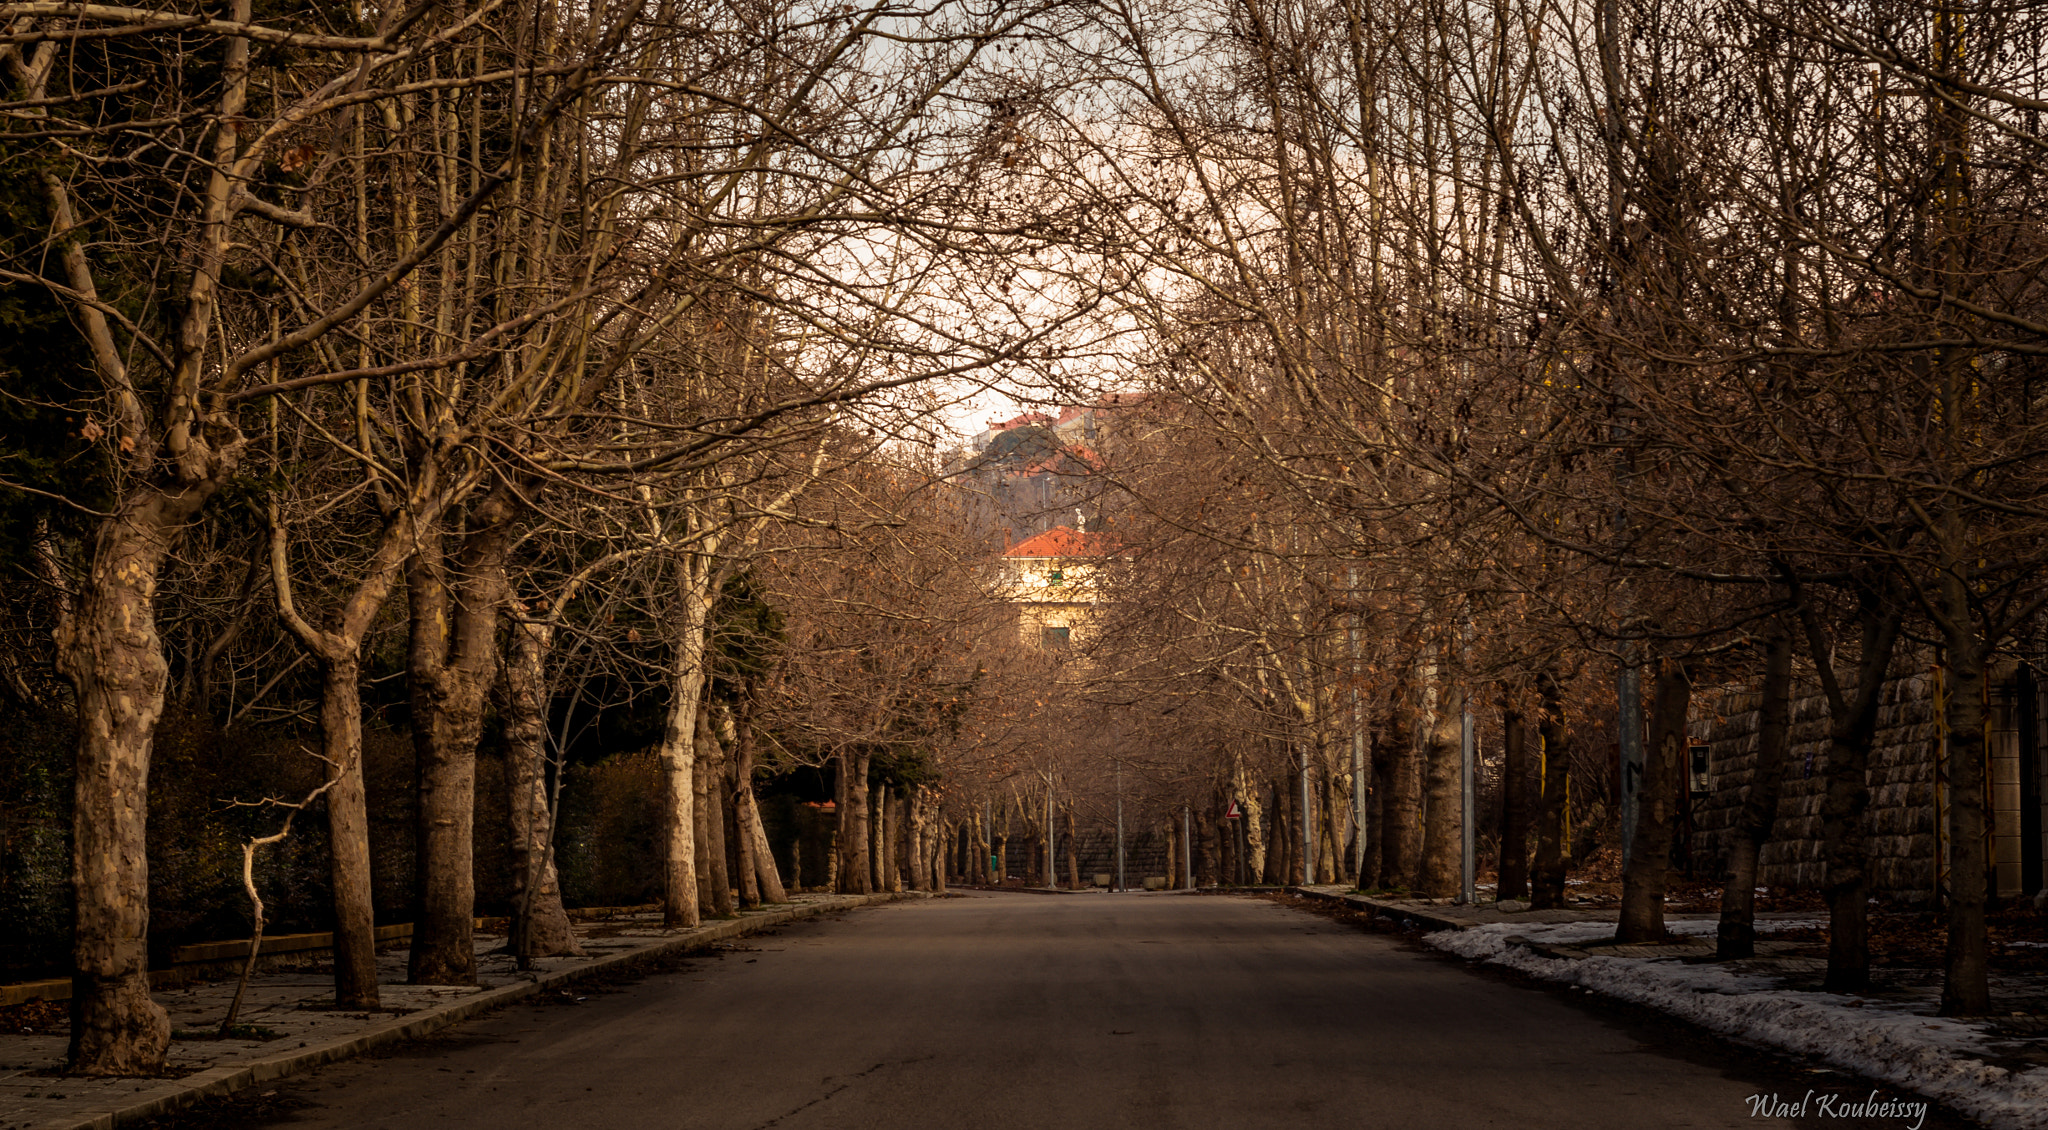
[[1967, 965]]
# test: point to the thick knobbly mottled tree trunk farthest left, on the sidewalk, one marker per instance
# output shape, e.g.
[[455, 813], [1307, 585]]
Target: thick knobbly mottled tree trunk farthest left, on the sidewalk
[[116, 662]]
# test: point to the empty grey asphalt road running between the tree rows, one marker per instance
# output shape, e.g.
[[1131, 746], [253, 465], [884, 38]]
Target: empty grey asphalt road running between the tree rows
[[1056, 1012]]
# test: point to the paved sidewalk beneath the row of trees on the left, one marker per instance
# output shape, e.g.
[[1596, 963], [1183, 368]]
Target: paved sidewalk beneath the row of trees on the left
[[286, 1008]]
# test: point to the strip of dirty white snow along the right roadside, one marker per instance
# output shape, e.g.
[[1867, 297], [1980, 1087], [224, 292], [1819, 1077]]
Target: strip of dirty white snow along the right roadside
[[1883, 1041]]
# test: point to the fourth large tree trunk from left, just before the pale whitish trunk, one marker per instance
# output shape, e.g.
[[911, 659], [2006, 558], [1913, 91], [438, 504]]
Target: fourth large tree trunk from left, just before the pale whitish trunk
[[540, 924]]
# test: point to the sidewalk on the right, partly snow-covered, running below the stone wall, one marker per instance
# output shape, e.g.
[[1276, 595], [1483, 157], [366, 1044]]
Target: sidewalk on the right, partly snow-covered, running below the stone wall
[[1990, 1070]]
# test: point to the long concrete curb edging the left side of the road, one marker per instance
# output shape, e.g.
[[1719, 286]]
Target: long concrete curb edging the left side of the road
[[226, 1080]]
